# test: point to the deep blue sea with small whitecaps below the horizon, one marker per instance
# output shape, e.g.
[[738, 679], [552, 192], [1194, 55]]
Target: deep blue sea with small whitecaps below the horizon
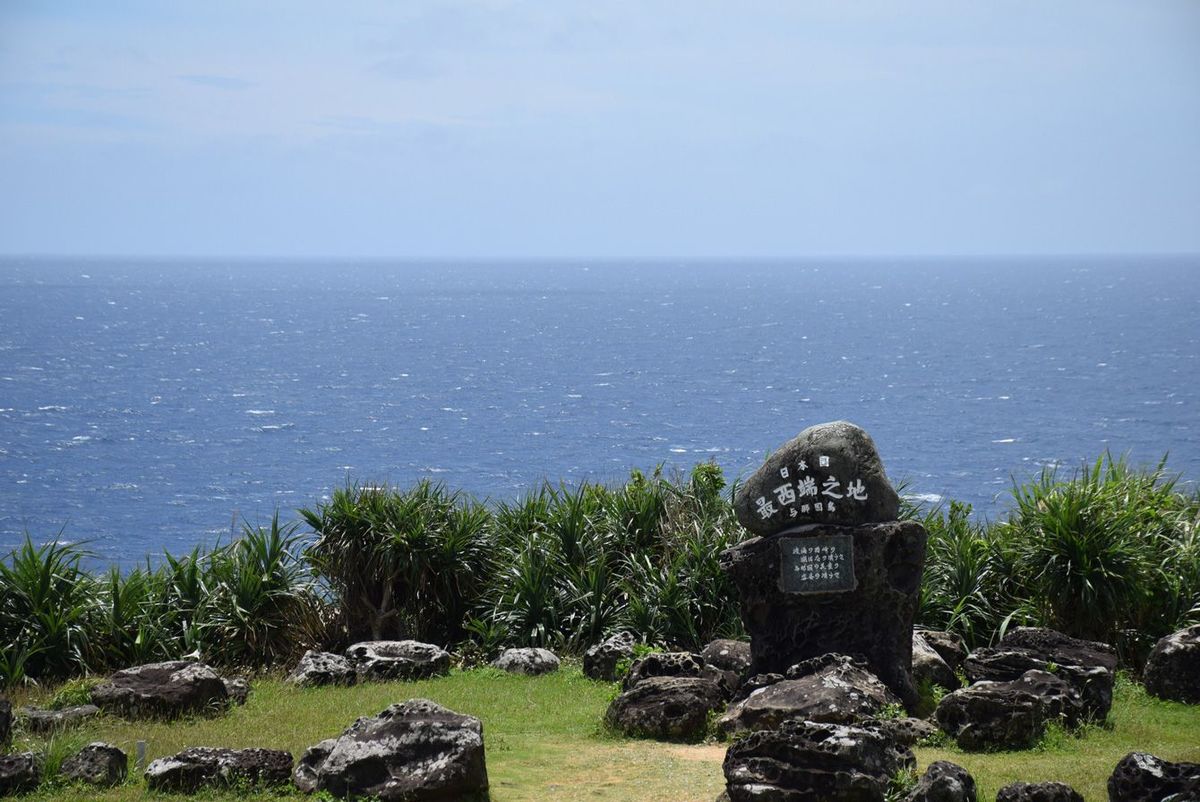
[[149, 405]]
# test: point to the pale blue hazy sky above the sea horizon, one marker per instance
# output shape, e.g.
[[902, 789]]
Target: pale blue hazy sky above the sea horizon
[[599, 130]]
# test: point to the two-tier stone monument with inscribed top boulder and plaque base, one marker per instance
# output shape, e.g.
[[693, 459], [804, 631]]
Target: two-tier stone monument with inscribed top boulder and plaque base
[[831, 568]]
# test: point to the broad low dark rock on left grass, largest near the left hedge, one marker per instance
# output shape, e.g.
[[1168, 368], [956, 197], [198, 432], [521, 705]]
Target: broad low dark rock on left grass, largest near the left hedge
[[163, 690]]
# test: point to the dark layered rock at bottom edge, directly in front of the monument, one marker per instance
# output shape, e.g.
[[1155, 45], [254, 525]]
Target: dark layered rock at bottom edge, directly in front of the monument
[[807, 762]]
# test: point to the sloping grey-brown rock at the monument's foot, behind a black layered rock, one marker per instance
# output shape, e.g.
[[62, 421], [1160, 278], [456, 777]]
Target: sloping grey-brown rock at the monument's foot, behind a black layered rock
[[832, 689]]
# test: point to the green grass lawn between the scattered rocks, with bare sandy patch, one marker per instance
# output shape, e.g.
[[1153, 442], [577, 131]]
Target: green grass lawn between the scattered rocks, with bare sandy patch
[[544, 740]]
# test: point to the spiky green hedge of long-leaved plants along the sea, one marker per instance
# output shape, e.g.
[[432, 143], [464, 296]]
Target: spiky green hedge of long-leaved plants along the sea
[[1111, 553]]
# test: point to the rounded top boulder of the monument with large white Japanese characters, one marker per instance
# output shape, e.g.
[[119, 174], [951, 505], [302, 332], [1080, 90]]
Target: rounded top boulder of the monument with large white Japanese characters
[[829, 463]]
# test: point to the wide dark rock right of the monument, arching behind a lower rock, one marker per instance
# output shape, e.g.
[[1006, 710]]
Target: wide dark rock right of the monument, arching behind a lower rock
[[1090, 667]]
